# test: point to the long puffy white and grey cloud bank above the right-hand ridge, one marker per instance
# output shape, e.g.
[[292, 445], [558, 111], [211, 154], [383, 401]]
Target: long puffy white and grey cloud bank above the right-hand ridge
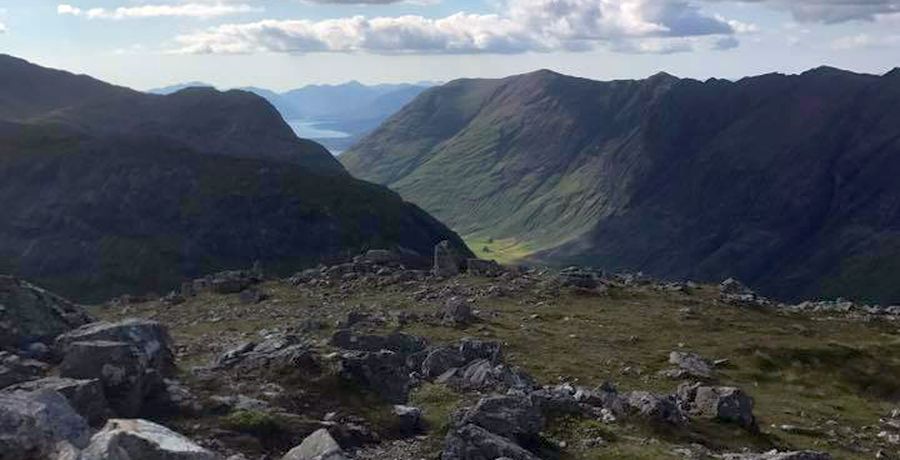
[[527, 25]]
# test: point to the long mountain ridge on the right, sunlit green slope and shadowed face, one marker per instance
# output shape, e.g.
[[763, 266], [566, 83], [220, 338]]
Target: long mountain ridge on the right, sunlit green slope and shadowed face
[[787, 182]]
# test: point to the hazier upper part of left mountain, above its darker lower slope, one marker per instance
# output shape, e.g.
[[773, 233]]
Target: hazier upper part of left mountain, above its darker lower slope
[[234, 123]]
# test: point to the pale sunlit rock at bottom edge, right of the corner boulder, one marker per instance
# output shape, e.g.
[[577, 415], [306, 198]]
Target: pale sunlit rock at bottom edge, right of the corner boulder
[[140, 439]]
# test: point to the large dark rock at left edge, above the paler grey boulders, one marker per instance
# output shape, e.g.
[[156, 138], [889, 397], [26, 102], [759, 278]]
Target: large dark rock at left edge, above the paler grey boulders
[[30, 314]]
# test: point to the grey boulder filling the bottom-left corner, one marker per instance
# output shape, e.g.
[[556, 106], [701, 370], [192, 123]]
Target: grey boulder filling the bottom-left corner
[[35, 425]]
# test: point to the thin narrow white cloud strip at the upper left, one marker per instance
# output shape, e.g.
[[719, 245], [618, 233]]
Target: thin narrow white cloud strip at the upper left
[[194, 10]]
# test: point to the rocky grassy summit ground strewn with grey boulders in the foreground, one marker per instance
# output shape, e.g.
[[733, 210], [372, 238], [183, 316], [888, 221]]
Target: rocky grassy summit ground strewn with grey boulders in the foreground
[[469, 361]]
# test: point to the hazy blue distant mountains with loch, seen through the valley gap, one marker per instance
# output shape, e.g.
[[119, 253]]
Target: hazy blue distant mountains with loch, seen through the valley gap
[[350, 108]]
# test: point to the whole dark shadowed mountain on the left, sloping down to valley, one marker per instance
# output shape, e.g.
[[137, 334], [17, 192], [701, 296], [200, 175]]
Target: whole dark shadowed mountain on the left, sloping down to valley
[[117, 192]]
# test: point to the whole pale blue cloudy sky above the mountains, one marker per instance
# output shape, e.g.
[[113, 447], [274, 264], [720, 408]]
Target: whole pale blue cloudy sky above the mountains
[[284, 44]]
